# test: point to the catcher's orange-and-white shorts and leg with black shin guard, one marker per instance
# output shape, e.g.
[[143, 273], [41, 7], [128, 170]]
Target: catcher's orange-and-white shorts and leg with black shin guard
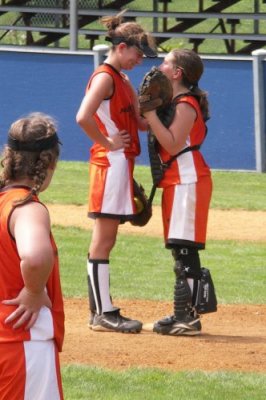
[[185, 213]]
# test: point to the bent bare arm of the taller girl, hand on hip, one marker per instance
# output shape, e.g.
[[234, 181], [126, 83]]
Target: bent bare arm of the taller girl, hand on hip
[[101, 88]]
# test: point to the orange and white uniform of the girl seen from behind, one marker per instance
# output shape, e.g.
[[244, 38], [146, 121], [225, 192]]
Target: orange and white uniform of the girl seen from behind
[[25, 355]]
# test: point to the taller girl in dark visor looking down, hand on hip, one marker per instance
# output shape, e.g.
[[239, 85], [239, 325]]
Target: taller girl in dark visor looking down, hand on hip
[[109, 115]]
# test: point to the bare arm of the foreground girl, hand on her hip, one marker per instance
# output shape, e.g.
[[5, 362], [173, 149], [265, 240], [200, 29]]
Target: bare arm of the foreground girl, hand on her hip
[[30, 226]]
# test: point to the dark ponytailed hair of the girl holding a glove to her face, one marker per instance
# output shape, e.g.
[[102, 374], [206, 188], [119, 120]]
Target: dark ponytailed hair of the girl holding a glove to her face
[[192, 67]]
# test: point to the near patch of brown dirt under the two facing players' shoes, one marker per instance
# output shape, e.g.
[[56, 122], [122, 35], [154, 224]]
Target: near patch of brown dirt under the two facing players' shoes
[[233, 338]]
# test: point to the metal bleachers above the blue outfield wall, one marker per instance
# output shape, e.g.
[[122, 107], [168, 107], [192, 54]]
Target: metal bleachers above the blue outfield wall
[[41, 23]]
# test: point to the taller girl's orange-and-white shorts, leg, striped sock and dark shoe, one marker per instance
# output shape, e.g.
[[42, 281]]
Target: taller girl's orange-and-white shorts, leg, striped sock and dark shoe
[[110, 201]]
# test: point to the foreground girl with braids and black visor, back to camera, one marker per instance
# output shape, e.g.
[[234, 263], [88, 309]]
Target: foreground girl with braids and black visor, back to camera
[[31, 304]]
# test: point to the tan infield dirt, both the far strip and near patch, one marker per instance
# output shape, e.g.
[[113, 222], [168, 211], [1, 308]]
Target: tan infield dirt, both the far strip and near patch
[[233, 338]]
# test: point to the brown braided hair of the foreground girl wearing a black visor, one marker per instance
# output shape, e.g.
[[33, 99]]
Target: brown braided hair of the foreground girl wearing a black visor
[[19, 164]]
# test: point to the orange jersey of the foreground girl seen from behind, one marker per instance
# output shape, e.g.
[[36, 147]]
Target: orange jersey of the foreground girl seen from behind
[[50, 323]]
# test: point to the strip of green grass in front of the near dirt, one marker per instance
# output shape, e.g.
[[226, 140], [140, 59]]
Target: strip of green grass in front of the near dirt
[[88, 383]]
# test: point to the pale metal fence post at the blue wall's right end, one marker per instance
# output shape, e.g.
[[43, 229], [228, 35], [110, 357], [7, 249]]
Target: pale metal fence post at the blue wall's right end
[[259, 108]]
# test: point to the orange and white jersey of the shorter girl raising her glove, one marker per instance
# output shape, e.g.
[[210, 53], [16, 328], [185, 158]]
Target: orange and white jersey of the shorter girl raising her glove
[[190, 166]]
